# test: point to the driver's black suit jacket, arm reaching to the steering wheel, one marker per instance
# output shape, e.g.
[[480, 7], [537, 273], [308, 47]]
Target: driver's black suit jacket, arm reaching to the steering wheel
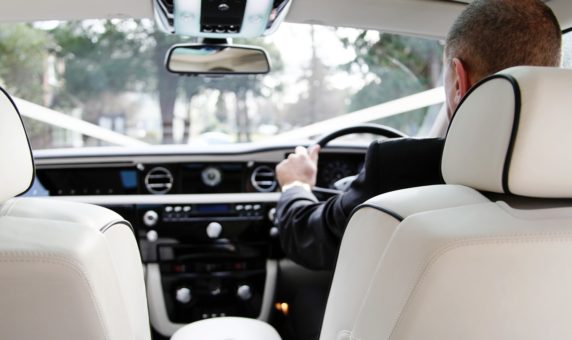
[[311, 231]]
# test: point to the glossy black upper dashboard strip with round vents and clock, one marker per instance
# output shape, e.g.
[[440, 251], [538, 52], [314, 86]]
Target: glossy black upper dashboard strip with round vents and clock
[[157, 178]]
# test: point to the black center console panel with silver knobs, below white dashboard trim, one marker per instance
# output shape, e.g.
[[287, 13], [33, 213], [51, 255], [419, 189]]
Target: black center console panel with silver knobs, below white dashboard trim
[[212, 258]]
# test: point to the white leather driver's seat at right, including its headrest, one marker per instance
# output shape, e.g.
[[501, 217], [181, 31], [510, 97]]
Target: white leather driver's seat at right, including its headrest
[[487, 256]]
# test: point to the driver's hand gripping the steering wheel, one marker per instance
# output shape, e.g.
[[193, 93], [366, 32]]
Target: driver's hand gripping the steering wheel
[[301, 166]]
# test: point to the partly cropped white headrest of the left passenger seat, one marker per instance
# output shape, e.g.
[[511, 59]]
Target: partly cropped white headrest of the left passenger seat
[[16, 163]]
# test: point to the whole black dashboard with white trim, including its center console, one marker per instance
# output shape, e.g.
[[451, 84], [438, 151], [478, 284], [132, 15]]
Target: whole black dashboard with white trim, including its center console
[[204, 219]]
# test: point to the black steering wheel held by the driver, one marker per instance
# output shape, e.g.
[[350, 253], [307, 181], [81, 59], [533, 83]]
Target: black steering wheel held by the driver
[[374, 129]]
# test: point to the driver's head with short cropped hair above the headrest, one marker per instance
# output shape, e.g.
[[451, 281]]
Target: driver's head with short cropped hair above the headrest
[[492, 35]]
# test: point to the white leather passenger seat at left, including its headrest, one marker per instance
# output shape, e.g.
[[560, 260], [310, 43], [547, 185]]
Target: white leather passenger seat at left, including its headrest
[[67, 270]]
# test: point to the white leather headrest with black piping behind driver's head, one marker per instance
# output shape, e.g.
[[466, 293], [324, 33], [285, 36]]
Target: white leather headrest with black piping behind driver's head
[[512, 134]]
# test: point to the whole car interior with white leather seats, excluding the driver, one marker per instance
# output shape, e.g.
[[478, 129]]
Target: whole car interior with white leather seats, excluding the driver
[[150, 226]]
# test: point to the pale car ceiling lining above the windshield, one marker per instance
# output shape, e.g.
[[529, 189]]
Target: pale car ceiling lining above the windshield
[[417, 17]]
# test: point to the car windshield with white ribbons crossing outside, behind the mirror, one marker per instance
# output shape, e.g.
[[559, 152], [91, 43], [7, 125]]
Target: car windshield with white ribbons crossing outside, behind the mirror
[[101, 83]]
